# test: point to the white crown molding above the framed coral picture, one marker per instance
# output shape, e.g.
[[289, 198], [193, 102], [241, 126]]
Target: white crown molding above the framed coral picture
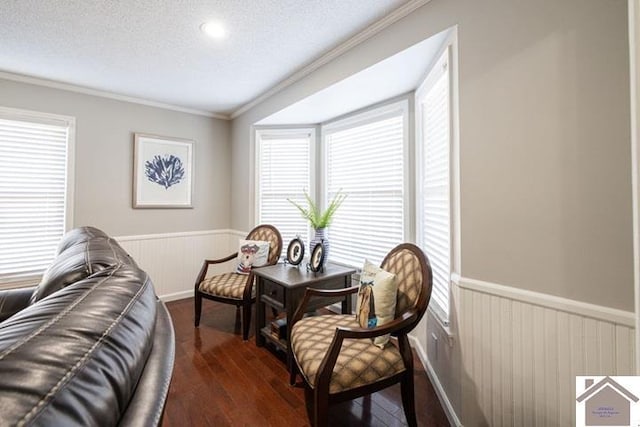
[[105, 94]]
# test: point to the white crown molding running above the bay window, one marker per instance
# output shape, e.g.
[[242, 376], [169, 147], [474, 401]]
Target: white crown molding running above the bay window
[[349, 44]]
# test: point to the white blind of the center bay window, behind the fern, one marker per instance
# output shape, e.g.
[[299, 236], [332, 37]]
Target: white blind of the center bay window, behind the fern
[[364, 159]]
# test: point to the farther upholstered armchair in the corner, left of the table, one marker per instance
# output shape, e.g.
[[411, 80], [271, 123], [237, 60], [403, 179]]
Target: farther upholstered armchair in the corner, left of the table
[[235, 288]]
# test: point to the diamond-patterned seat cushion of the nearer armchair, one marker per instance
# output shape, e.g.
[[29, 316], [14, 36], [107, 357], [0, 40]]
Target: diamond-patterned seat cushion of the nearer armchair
[[360, 361]]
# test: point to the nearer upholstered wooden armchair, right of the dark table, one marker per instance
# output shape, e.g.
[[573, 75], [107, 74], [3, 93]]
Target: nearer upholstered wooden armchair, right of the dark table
[[338, 359]]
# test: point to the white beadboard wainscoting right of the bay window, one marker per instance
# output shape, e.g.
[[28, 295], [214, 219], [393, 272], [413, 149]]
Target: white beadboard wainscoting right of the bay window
[[518, 353]]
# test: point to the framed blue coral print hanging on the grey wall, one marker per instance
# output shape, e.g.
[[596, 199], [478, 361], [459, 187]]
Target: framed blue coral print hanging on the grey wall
[[162, 172]]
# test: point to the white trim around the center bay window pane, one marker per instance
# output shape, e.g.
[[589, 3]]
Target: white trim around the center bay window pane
[[373, 113]]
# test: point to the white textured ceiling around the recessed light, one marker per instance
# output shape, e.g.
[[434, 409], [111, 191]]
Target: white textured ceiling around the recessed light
[[154, 49]]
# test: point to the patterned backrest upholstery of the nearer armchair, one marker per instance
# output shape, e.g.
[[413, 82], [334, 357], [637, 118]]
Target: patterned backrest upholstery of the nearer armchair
[[406, 266]]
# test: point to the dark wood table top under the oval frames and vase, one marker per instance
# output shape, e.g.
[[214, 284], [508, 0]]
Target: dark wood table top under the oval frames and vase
[[292, 276]]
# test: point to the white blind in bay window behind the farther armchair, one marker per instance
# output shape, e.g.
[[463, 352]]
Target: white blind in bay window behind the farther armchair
[[284, 171]]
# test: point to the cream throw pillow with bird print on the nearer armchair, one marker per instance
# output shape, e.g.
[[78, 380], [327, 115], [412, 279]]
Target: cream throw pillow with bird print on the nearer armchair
[[376, 304]]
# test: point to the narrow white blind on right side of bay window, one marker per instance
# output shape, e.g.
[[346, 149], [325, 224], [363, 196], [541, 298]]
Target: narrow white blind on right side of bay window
[[434, 208]]
